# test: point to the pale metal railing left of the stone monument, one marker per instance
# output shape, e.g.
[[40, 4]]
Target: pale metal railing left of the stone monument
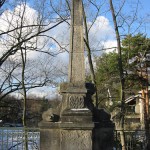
[[16, 138]]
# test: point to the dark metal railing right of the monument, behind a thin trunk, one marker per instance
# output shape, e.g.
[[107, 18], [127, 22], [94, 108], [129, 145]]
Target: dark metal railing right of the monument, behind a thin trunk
[[135, 140]]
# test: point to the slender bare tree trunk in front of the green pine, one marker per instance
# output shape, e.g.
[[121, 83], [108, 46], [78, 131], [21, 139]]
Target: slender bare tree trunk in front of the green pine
[[121, 76]]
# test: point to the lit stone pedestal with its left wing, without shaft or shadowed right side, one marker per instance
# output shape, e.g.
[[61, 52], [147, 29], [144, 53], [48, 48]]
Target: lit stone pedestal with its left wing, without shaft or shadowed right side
[[74, 129]]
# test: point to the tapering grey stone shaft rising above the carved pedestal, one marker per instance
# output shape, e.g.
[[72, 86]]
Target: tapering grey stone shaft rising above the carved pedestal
[[76, 64]]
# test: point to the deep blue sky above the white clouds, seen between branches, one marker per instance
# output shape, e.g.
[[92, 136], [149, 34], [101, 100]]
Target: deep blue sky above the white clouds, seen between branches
[[143, 10]]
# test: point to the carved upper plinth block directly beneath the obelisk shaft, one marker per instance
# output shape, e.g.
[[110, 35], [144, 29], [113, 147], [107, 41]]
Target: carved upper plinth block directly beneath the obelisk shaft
[[74, 97]]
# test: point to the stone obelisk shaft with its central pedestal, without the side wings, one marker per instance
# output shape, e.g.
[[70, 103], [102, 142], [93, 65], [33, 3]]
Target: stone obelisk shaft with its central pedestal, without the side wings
[[75, 116]]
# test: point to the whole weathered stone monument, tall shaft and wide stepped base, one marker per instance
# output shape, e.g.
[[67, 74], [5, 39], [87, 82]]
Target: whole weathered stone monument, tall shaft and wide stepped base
[[72, 125]]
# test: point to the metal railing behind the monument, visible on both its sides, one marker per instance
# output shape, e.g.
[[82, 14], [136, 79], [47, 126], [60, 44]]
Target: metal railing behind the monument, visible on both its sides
[[16, 138]]
